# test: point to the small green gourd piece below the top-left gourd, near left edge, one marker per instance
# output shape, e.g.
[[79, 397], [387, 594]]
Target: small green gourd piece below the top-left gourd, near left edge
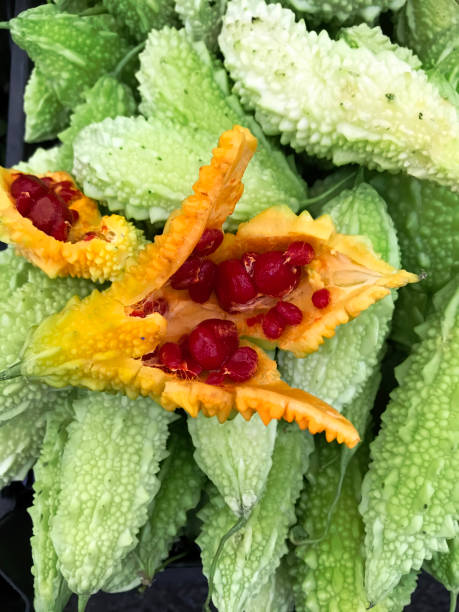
[[45, 115]]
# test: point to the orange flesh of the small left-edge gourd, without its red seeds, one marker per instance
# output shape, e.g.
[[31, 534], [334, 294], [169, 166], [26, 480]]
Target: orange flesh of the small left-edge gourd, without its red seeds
[[114, 241]]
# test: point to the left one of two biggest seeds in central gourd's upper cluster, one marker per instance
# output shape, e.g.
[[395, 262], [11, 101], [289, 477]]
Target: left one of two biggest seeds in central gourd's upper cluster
[[233, 285]]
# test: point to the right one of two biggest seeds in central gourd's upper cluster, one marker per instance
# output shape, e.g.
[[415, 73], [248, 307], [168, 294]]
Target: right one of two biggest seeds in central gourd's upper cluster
[[273, 276]]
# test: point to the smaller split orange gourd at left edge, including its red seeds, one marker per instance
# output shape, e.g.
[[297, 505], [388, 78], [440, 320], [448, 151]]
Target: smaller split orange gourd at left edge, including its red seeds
[[60, 230]]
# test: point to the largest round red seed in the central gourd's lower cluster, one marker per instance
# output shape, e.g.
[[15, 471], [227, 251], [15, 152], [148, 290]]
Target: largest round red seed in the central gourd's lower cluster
[[212, 342]]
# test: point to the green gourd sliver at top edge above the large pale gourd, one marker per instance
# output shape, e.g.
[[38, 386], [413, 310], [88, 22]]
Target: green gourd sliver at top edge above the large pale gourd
[[342, 9]]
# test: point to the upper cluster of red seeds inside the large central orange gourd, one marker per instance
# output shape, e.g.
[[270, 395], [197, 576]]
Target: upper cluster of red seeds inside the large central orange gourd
[[239, 282]]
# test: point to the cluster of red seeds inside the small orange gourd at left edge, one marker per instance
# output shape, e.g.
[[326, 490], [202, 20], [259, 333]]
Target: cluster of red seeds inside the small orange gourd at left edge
[[45, 202]]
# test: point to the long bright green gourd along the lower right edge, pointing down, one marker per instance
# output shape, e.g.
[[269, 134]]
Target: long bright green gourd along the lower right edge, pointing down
[[409, 498]]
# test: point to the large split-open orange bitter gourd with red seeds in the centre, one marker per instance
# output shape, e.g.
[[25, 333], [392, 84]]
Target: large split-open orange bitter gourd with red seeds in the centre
[[175, 326]]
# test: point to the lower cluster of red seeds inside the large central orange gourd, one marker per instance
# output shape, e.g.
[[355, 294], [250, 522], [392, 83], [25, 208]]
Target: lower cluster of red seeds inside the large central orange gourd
[[212, 346]]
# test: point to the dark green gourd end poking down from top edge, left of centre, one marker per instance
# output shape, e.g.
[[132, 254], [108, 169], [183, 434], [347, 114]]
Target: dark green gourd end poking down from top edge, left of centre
[[140, 16]]
